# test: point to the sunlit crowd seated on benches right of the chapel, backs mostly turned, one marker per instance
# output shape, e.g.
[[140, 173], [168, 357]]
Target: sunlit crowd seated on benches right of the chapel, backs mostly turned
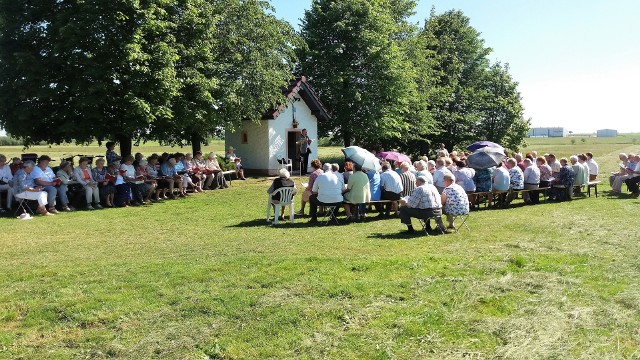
[[392, 190]]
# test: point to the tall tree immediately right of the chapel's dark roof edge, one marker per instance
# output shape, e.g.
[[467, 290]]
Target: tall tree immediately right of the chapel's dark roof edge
[[355, 61]]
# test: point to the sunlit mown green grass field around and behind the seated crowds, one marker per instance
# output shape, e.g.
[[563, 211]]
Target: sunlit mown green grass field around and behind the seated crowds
[[206, 277]]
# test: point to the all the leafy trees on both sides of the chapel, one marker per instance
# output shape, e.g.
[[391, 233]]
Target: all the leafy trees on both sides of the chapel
[[177, 71]]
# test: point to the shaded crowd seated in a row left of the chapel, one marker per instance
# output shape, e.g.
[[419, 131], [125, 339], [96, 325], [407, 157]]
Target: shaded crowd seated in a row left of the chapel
[[113, 181]]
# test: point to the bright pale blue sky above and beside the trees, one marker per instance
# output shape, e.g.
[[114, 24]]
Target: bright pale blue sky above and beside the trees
[[577, 62]]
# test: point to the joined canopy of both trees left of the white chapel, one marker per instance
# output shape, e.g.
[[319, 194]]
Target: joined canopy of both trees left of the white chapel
[[168, 70]]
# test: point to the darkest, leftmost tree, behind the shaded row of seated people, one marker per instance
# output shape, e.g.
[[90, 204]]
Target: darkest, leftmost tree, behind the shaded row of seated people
[[75, 71]]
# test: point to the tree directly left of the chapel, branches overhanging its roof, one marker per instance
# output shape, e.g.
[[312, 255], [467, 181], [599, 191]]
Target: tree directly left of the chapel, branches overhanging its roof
[[234, 59]]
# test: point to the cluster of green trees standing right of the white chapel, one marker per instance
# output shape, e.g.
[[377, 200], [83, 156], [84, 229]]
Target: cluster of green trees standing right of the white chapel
[[390, 83]]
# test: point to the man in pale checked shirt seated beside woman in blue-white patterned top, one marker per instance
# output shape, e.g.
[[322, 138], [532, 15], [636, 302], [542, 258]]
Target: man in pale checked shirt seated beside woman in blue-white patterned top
[[424, 203]]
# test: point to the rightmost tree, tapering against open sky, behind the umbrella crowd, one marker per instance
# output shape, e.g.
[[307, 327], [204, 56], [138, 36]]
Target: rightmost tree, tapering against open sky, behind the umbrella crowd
[[469, 98]]
